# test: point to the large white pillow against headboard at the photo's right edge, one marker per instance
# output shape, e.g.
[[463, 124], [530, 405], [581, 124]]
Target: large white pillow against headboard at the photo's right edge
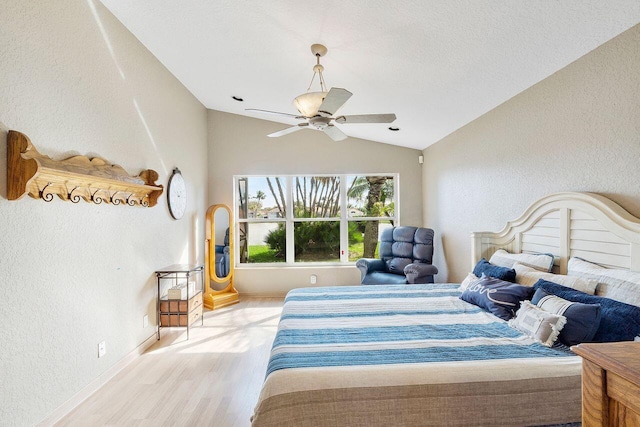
[[618, 284]]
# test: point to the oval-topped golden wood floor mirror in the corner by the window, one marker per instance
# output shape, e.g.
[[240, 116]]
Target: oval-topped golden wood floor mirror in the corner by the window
[[219, 258]]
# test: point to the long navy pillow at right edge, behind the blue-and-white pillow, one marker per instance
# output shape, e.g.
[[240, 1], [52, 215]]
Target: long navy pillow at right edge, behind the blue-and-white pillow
[[618, 322]]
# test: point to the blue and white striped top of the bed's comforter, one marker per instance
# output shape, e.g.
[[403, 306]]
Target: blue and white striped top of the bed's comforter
[[395, 324]]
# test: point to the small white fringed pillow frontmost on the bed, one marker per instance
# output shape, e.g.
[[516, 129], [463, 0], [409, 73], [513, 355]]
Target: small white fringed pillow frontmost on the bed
[[540, 325]]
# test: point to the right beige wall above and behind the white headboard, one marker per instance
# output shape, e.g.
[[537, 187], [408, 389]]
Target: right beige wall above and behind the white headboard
[[578, 130]]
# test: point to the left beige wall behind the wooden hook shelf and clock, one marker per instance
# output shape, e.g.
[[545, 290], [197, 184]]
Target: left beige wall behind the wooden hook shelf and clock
[[77, 82]]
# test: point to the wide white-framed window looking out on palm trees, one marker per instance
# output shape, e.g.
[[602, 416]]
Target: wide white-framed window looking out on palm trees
[[312, 218]]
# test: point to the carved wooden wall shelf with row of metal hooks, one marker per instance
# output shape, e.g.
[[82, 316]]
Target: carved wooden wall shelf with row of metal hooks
[[78, 177]]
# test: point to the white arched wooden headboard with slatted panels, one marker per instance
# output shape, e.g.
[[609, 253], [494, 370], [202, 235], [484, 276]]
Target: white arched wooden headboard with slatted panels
[[584, 225]]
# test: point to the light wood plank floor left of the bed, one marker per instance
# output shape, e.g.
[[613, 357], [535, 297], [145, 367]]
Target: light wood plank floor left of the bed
[[211, 380]]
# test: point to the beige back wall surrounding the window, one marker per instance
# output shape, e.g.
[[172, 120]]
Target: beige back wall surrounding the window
[[239, 145]]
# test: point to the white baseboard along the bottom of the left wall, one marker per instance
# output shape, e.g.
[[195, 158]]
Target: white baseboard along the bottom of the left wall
[[95, 385]]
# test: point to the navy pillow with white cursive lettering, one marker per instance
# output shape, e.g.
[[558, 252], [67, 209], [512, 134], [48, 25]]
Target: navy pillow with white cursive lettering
[[499, 297]]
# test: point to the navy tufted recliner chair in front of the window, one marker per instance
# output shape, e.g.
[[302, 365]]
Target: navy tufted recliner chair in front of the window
[[405, 258]]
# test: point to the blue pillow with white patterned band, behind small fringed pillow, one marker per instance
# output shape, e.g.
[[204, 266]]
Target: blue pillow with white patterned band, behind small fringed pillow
[[583, 320]]
